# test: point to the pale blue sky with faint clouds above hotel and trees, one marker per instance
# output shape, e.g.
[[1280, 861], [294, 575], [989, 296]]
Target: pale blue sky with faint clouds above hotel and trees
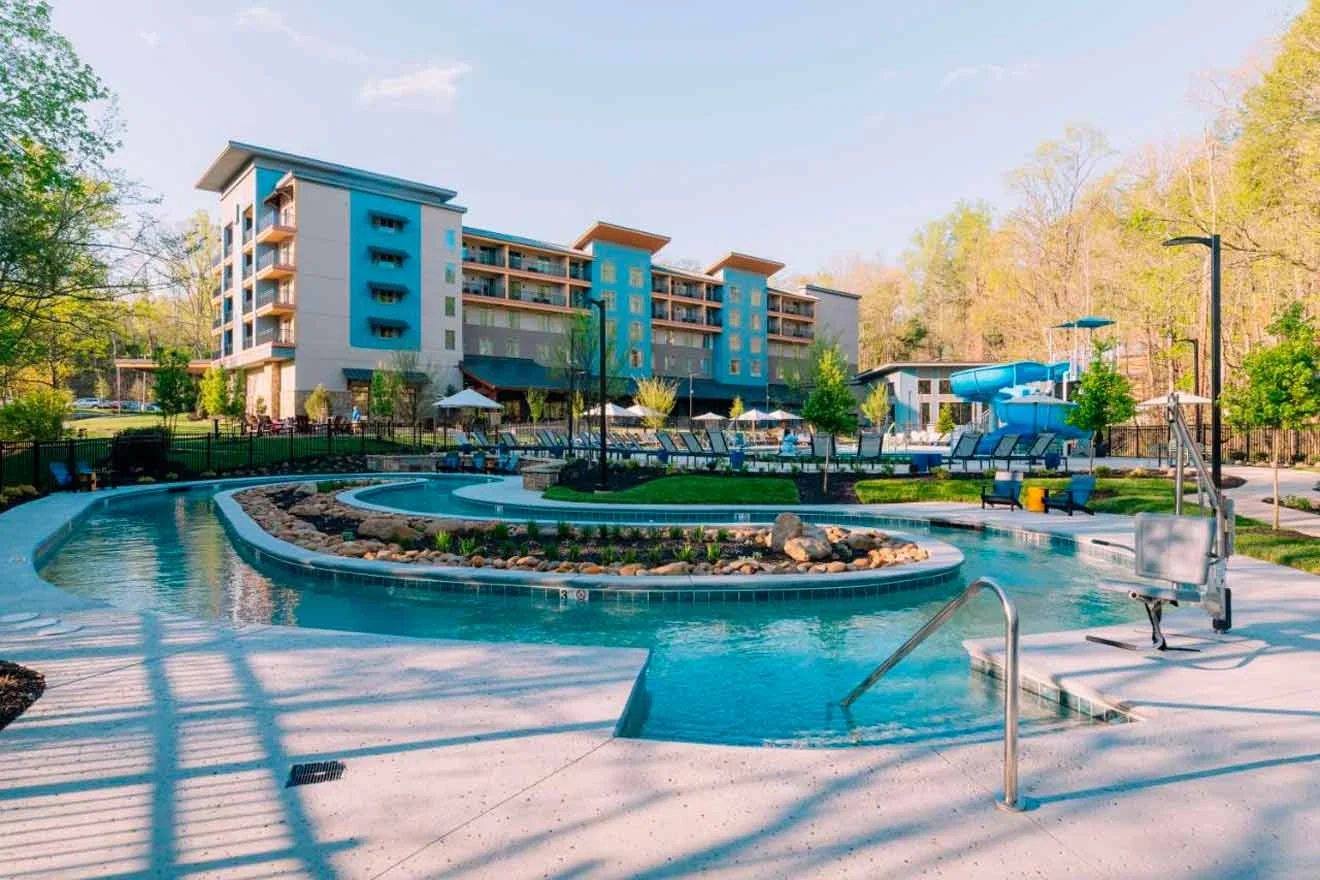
[[802, 133]]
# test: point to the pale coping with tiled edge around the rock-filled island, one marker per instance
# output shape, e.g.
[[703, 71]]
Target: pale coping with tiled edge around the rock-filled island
[[943, 565]]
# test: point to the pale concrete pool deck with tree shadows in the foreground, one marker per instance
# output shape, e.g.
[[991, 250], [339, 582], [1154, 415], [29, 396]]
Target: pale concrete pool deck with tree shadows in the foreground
[[162, 747]]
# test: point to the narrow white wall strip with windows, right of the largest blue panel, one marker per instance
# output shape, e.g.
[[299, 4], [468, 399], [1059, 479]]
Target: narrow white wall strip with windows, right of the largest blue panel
[[435, 257]]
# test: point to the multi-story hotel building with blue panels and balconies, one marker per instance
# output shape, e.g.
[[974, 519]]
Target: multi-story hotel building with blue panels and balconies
[[328, 274]]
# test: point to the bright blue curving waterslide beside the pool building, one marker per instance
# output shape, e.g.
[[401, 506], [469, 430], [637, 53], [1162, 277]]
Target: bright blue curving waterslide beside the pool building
[[1006, 389]]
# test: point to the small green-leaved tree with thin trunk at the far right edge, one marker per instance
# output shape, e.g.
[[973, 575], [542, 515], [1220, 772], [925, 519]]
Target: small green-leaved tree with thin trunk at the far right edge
[[1280, 385]]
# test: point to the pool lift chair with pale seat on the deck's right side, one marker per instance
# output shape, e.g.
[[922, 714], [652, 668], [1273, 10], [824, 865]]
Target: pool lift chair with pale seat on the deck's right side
[[1189, 555]]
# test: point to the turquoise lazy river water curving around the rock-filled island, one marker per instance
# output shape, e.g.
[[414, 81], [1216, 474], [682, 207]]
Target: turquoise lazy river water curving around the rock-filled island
[[766, 674]]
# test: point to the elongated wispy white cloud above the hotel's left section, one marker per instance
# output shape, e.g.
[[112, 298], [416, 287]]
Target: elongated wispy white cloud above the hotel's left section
[[432, 86]]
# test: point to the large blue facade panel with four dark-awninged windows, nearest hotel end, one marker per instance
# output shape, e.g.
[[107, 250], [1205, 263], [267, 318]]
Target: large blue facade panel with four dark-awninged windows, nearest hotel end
[[366, 239]]
